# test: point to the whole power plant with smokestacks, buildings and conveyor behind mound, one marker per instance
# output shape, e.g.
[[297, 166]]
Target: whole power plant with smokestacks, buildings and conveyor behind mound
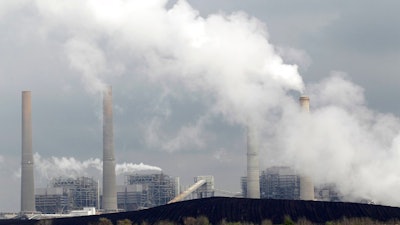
[[141, 191]]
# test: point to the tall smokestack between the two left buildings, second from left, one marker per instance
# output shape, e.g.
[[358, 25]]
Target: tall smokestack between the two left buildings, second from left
[[109, 177]]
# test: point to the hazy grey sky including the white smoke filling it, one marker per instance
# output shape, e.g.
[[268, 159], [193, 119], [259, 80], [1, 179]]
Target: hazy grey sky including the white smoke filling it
[[189, 76]]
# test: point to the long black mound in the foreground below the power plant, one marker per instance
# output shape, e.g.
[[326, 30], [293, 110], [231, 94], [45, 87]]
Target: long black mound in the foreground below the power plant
[[217, 209]]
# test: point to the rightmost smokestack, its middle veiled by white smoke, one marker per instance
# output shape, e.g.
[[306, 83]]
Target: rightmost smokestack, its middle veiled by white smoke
[[306, 183]]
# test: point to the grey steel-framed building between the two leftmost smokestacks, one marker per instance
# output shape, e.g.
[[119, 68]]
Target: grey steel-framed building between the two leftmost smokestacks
[[67, 194]]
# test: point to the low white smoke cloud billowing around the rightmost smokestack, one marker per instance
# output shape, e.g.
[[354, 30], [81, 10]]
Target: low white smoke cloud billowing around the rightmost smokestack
[[342, 141]]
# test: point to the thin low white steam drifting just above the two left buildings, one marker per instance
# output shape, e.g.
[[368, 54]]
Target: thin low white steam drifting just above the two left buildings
[[47, 168]]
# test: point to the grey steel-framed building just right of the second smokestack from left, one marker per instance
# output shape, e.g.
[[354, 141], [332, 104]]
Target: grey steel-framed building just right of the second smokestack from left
[[146, 190]]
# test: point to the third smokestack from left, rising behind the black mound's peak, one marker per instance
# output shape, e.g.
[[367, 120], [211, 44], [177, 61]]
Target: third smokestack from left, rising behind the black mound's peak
[[253, 171]]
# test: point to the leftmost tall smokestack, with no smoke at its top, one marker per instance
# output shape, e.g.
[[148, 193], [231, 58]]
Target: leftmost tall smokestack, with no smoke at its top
[[27, 175]]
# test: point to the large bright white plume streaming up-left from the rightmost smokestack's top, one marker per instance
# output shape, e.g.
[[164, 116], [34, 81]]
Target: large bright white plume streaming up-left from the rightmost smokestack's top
[[227, 56]]
